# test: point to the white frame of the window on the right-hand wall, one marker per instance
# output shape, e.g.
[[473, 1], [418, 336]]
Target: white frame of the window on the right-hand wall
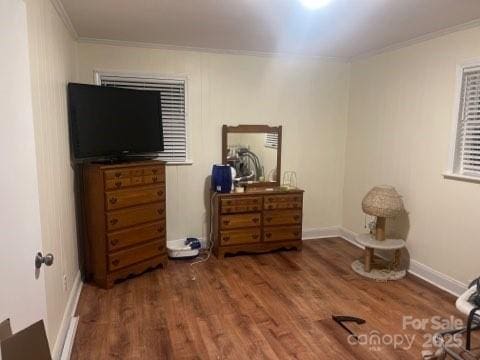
[[451, 172]]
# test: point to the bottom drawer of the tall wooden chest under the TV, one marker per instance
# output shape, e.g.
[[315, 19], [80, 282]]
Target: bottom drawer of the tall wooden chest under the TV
[[128, 257]]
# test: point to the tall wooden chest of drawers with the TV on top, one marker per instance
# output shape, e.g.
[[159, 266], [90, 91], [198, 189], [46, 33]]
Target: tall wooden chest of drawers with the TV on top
[[124, 211]]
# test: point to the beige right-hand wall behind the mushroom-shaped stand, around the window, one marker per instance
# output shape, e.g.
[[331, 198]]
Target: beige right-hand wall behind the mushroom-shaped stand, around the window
[[399, 128]]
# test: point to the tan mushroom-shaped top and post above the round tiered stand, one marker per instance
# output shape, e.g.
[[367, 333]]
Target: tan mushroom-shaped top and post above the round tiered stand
[[382, 202]]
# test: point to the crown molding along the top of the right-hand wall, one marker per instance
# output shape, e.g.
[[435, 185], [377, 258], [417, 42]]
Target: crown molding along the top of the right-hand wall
[[417, 40]]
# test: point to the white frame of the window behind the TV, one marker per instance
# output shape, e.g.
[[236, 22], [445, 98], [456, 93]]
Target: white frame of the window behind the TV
[[97, 75]]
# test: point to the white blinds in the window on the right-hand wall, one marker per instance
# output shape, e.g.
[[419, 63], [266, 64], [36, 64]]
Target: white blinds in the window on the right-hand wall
[[467, 144]]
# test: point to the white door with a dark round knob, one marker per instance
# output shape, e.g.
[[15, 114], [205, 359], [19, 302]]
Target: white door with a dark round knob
[[22, 288]]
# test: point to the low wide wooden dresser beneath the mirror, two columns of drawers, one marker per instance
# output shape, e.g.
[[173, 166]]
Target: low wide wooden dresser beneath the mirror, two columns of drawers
[[257, 221]]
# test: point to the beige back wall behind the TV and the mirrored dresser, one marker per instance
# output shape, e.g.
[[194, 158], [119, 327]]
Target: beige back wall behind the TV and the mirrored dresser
[[307, 96]]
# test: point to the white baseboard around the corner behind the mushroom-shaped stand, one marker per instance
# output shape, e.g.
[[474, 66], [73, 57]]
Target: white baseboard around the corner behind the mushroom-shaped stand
[[432, 276]]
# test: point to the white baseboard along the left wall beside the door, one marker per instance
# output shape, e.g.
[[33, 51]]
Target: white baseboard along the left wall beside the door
[[64, 334]]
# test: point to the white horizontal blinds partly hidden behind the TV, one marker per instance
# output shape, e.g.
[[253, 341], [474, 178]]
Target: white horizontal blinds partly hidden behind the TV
[[172, 98]]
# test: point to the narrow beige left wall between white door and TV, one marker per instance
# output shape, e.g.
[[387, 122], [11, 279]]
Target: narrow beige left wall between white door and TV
[[52, 62]]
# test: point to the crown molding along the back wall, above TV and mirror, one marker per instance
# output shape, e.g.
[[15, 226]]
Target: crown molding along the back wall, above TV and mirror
[[147, 45]]
